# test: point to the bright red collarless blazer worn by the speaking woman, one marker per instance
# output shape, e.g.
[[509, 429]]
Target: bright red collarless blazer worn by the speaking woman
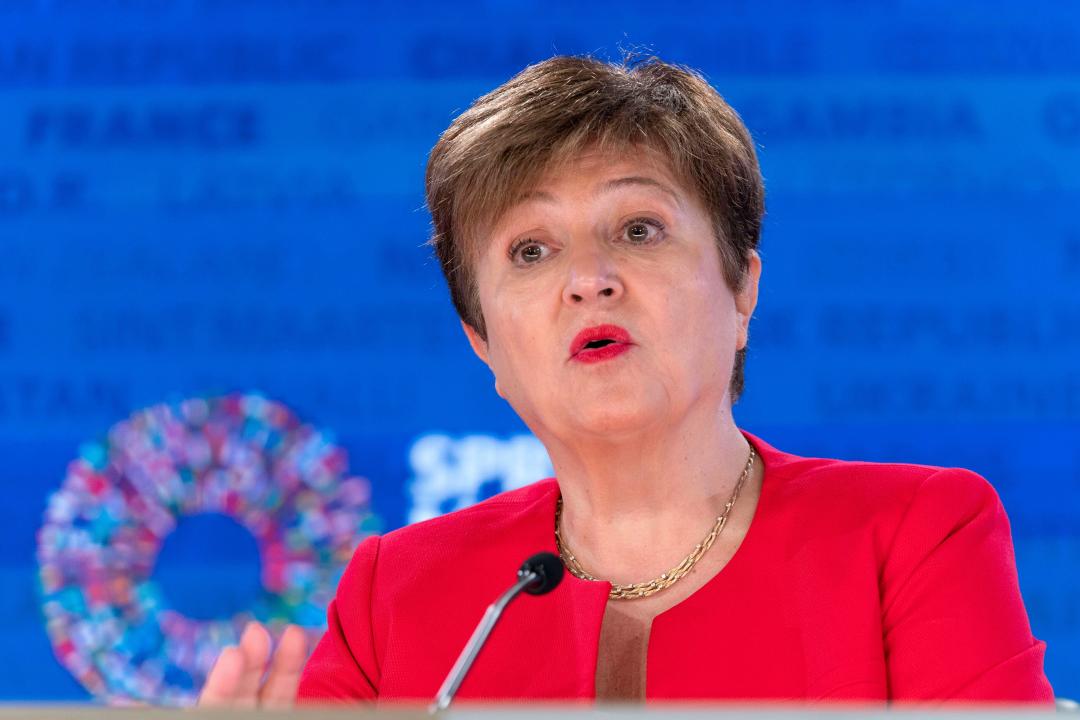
[[856, 581]]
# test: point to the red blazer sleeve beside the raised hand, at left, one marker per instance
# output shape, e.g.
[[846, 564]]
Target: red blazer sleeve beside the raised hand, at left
[[344, 667]]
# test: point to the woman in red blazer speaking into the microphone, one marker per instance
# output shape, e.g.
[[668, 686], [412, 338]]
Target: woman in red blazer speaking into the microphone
[[598, 226]]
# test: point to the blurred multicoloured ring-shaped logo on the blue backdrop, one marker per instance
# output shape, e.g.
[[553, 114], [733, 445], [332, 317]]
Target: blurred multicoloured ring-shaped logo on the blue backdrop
[[244, 457]]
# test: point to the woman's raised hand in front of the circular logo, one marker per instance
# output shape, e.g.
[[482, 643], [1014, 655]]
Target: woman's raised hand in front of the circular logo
[[236, 681]]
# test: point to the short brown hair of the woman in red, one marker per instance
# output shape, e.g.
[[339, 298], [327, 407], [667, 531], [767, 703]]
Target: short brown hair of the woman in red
[[502, 146]]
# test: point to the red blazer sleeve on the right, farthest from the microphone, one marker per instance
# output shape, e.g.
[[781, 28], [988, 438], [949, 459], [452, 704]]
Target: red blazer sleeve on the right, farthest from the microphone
[[954, 621]]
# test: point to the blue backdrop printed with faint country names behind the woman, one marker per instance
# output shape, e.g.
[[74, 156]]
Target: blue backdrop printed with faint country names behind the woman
[[209, 197]]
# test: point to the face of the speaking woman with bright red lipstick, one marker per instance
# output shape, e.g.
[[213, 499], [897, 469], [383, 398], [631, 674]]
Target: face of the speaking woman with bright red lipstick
[[610, 251]]
